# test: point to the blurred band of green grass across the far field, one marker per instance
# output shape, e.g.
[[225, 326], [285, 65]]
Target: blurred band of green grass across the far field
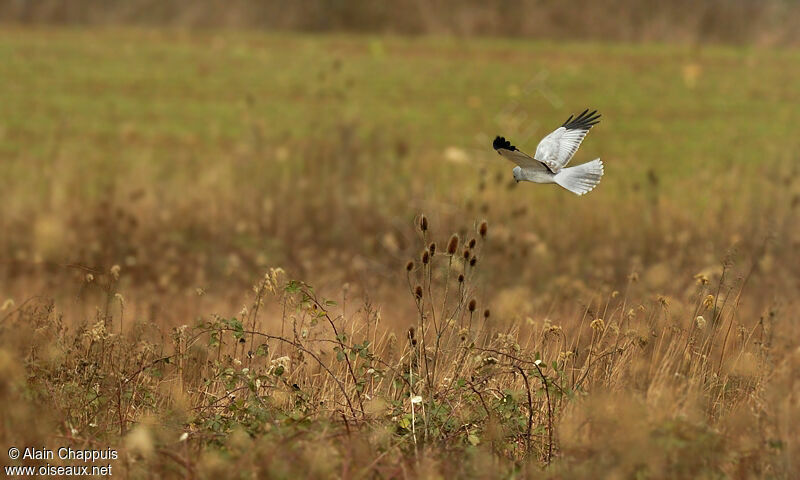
[[183, 98]]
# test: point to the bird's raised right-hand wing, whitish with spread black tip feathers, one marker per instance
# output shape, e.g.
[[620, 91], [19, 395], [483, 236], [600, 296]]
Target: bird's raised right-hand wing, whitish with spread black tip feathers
[[557, 149]]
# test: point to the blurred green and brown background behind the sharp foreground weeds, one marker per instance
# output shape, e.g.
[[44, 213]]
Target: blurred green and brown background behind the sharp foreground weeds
[[196, 144]]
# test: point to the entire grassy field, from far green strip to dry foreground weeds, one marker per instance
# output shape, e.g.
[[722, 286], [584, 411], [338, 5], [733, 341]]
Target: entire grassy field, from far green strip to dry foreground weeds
[[149, 179]]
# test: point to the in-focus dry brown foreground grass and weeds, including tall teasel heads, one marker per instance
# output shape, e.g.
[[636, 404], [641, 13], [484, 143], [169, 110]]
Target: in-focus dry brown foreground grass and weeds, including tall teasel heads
[[299, 385]]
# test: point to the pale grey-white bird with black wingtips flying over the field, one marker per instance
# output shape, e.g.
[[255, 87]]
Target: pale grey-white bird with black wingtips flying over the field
[[554, 153]]
